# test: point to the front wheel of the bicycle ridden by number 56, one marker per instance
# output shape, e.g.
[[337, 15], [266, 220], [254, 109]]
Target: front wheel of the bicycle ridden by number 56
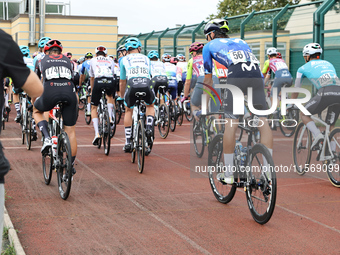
[[224, 193]]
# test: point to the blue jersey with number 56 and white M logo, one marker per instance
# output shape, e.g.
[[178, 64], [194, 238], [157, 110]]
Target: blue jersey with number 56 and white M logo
[[227, 51]]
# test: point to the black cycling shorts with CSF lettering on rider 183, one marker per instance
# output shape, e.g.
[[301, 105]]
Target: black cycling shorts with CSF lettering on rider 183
[[138, 85]]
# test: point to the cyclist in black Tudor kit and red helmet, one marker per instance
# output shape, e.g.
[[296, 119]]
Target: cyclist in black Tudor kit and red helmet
[[56, 70]]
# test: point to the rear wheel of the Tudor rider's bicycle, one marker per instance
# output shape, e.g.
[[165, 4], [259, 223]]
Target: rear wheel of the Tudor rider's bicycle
[[64, 167]]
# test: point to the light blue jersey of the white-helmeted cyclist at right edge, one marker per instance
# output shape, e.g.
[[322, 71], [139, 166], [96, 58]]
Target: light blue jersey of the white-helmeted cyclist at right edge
[[320, 72]]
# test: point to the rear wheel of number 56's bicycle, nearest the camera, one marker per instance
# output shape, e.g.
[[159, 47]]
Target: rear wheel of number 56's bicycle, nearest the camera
[[261, 192]]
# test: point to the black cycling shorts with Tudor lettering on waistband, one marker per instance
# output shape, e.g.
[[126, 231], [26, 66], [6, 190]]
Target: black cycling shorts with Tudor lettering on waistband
[[54, 92]]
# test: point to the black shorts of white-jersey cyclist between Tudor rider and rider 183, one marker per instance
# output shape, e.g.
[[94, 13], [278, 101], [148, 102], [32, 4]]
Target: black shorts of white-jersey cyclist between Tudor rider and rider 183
[[100, 84]]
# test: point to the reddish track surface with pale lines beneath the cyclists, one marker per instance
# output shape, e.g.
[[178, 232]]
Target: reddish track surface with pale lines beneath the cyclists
[[112, 209]]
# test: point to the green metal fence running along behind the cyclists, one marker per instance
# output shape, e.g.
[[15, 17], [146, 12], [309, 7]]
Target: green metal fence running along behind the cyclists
[[288, 28]]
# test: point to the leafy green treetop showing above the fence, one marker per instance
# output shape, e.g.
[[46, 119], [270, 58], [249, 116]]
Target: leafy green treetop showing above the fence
[[231, 8]]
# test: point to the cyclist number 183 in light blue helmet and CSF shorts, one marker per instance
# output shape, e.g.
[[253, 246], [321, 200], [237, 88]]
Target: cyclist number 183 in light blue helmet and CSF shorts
[[135, 73]]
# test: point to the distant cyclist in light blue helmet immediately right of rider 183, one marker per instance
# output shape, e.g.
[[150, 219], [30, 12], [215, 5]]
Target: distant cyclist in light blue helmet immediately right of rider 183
[[158, 73]]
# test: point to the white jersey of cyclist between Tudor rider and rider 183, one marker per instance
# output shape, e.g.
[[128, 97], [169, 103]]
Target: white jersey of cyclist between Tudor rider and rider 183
[[101, 67]]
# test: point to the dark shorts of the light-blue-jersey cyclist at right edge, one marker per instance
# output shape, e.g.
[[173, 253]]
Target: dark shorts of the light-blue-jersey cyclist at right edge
[[328, 96]]
